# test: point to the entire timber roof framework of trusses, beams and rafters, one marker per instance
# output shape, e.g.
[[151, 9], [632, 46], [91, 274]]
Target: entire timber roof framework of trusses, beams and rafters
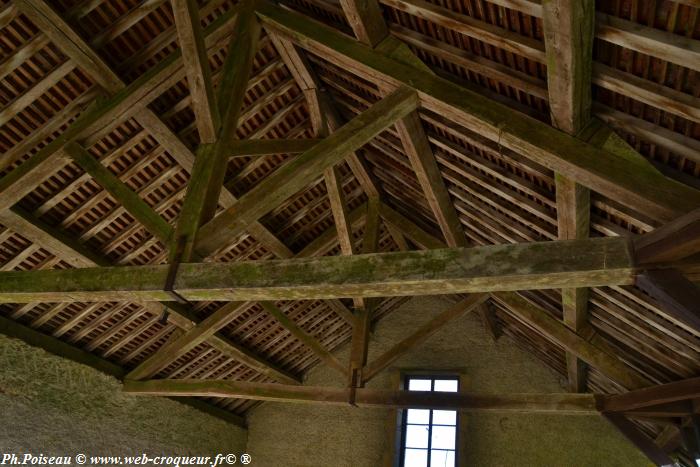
[[400, 107]]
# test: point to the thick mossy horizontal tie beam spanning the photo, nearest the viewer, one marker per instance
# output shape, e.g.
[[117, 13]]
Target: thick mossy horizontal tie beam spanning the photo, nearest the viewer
[[574, 263]]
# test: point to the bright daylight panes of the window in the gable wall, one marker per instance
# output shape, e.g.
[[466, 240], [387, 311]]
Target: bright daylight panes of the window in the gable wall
[[429, 437]]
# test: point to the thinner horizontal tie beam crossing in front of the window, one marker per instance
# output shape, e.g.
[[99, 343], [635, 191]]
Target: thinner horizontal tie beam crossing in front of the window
[[573, 404]]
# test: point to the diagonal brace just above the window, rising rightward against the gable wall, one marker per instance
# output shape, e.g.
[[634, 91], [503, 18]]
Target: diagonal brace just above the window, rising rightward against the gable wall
[[421, 334]]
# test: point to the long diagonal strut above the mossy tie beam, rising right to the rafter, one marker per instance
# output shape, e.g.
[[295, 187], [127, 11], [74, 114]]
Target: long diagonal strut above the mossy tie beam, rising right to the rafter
[[297, 173]]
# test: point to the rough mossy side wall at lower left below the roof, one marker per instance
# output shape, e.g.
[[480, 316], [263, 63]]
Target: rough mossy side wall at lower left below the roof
[[54, 406]]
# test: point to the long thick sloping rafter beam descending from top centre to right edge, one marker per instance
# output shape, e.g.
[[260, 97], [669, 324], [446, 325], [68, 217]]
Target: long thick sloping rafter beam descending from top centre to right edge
[[642, 189]]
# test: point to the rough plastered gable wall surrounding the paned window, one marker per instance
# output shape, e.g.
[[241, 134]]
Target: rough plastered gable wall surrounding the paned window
[[296, 435]]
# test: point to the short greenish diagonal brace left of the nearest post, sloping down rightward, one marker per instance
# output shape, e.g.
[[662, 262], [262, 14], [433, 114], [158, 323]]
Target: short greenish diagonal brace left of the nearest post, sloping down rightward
[[131, 201]]
